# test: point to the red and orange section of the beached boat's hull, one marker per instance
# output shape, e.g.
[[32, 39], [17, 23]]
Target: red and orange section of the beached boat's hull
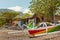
[[39, 31]]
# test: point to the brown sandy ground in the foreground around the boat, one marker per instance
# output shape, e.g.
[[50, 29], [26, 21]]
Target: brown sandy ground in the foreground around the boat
[[24, 36]]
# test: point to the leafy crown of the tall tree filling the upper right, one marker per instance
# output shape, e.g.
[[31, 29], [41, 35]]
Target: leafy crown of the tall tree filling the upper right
[[45, 8]]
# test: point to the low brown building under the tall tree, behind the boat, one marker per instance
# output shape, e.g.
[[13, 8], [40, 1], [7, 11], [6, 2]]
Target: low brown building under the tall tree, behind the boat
[[37, 19]]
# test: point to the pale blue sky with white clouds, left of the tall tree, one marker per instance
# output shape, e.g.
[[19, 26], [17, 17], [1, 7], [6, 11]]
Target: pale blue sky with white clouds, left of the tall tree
[[16, 5]]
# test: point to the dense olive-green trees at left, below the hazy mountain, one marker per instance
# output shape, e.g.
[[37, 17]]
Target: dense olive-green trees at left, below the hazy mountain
[[7, 17]]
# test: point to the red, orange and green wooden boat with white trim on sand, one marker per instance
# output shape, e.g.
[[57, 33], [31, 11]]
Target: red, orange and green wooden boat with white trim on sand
[[43, 28]]
